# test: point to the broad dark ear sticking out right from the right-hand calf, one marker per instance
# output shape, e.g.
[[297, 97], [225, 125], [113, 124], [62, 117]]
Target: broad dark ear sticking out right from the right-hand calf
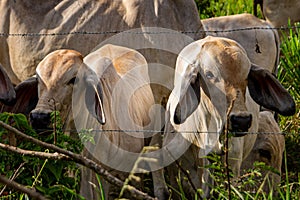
[[267, 91]]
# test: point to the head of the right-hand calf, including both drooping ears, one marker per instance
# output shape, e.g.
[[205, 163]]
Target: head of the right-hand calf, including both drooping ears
[[219, 69]]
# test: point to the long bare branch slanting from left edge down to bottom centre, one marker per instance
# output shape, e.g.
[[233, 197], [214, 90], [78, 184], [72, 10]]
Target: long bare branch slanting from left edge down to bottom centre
[[81, 160]]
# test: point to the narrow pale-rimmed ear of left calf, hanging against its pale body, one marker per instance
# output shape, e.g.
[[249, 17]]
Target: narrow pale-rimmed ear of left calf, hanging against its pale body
[[94, 97]]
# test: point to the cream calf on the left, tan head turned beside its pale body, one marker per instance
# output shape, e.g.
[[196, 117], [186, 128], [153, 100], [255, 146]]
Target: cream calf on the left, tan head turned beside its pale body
[[107, 90]]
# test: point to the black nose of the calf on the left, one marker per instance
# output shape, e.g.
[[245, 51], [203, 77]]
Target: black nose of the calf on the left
[[39, 120]]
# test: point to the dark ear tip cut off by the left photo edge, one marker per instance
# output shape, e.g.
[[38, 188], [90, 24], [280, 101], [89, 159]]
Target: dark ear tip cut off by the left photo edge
[[7, 92]]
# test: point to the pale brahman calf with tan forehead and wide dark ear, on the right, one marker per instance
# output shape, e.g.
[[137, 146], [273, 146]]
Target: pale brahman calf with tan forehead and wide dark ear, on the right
[[215, 79]]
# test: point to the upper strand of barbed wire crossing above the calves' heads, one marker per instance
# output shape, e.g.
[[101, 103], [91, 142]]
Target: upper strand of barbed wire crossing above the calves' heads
[[2, 34]]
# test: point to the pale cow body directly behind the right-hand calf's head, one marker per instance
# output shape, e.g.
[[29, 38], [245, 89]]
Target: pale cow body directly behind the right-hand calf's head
[[261, 44]]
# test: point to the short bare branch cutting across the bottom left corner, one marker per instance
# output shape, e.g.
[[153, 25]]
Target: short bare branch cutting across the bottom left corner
[[22, 188]]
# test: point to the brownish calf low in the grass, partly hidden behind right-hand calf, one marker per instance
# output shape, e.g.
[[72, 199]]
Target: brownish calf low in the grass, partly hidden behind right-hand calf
[[268, 148]]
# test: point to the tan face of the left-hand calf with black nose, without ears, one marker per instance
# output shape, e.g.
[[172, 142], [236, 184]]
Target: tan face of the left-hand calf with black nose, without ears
[[56, 74]]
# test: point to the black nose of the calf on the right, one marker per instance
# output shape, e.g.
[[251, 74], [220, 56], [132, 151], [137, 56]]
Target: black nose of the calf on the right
[[240, 123]]
